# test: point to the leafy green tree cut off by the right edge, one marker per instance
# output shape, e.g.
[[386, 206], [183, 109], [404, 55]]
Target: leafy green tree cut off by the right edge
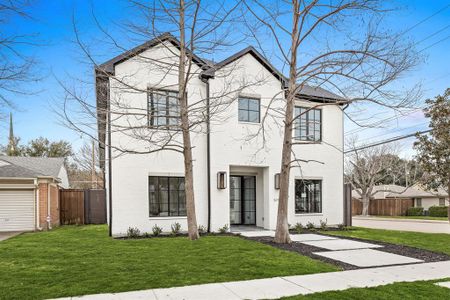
[[433, 150]]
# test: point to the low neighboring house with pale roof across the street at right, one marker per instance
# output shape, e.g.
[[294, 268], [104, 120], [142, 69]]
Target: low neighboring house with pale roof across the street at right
[[402, 198]]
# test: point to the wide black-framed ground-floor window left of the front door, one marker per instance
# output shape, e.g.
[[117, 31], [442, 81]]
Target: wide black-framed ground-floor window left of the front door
[[166, 196]]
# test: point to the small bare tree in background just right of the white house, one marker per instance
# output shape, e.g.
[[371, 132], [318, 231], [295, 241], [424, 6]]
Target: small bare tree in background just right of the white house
[[370, 167]]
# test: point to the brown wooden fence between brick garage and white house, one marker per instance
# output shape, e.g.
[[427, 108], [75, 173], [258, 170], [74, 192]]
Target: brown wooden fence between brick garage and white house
[[82, 206]]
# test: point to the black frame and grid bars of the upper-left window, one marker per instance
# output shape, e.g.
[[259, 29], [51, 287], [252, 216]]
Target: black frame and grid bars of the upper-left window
[[151, 110]]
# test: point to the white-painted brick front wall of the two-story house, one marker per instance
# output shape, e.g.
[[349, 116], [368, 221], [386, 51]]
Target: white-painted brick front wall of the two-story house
[[231, 151]]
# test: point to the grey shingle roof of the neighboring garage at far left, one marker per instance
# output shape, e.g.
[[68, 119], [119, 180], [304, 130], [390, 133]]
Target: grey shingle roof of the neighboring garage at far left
[[18, 166]]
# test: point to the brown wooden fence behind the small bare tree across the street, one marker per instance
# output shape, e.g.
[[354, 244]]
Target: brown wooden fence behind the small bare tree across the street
[[384, 207]]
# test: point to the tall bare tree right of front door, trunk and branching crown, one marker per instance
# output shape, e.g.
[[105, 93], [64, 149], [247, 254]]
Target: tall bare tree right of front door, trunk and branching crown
[[332, 44]]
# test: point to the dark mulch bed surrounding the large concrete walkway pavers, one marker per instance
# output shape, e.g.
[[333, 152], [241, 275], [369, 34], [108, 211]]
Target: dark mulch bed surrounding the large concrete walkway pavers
[[307, 250]]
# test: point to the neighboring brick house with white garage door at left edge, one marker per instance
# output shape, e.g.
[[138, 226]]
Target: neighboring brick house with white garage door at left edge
[[29, 192]]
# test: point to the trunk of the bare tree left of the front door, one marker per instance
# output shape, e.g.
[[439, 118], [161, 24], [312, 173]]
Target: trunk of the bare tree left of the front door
[[187, 149]]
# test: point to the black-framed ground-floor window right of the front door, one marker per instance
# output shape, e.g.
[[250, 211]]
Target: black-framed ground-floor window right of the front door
[[308, 196]]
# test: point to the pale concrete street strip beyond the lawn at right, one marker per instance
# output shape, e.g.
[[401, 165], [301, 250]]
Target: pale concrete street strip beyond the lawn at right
[[428, 226]]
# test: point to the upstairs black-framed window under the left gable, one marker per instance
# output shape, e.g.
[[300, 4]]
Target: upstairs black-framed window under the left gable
[[163, 108]]
